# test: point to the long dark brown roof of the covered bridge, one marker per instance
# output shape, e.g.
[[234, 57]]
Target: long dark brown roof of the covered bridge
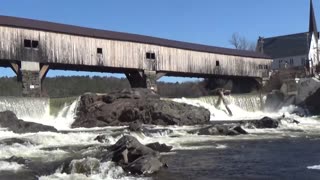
[[120, 36]]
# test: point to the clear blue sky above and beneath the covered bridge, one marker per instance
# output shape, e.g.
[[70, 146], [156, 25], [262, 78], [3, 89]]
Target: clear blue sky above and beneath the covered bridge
[[209, 22]]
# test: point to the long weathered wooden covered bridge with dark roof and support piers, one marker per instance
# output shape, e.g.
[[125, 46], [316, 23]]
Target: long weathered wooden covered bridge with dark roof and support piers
[[32, 47]]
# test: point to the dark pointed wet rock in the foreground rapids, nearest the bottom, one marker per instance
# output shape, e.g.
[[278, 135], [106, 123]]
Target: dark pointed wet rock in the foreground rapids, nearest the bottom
[[135, 157]]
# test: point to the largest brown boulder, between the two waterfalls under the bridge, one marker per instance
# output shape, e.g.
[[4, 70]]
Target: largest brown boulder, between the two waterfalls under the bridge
[[130, 105]]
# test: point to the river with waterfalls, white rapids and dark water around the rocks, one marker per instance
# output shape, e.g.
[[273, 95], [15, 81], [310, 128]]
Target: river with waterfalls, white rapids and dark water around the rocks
[[288, 152]]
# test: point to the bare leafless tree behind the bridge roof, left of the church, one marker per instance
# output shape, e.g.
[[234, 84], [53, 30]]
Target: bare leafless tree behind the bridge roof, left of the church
[[242, 43]]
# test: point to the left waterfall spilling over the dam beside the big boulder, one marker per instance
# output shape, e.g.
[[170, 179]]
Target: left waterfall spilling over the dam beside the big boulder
[[57, 112]]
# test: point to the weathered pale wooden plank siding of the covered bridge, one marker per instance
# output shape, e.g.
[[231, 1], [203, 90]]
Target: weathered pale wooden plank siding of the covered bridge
[[79, 50]]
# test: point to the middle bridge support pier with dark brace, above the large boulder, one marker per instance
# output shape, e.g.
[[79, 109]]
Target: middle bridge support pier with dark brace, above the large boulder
[[142, 79]]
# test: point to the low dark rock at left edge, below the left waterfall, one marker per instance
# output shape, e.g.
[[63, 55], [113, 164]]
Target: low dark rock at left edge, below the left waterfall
[[9, 120]]
